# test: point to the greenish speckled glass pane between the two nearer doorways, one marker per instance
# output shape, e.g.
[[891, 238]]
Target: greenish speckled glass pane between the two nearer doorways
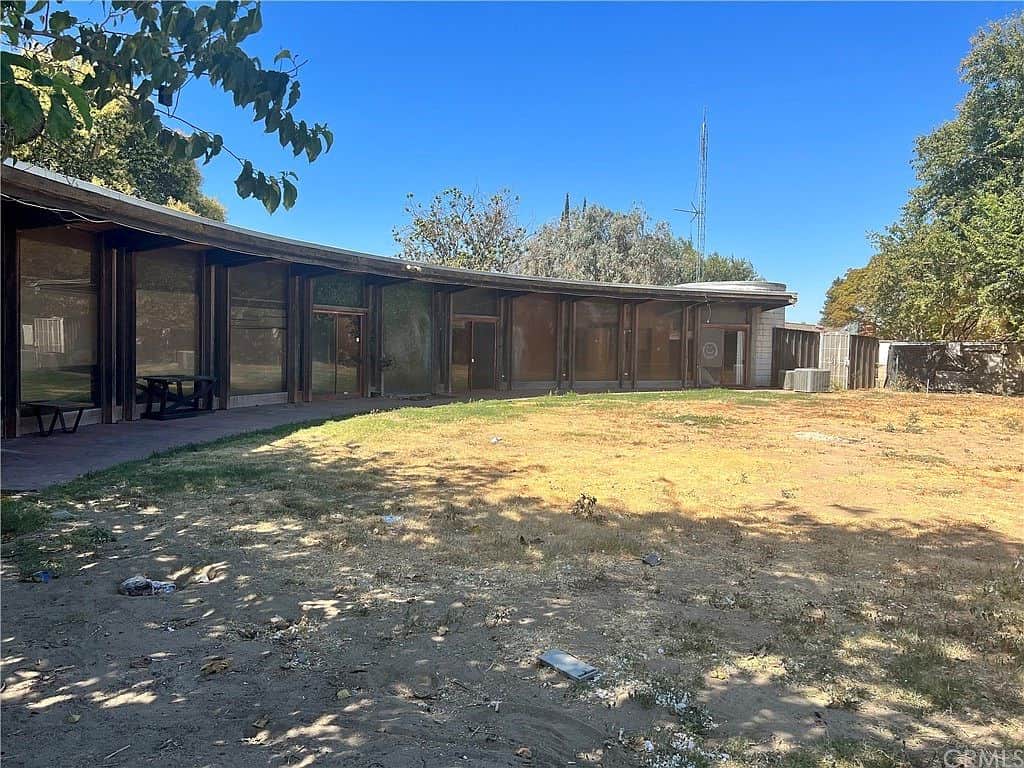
[[406, 311]]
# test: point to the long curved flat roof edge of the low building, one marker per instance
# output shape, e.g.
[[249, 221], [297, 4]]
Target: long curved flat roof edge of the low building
[[33, 186]]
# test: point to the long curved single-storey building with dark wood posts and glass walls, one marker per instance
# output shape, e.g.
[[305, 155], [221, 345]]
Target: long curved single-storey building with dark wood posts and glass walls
[[101, 289]]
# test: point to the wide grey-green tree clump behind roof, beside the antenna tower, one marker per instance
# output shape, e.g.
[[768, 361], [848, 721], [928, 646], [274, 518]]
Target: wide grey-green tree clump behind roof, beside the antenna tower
[[596, 244]]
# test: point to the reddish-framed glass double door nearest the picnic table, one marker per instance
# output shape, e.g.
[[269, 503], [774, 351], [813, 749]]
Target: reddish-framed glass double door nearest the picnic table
[[337, 356]]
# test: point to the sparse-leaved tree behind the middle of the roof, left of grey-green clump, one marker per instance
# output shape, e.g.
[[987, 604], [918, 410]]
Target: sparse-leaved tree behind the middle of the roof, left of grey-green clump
[[458, 230]]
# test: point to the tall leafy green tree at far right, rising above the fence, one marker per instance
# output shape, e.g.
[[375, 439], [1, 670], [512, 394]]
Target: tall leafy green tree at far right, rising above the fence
[[953, 267]]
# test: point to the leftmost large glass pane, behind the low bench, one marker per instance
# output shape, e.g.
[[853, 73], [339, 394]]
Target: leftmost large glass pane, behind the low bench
[[60, 317]]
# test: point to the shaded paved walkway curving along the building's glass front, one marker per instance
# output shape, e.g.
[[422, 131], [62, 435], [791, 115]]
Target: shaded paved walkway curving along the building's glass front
[[32, 463]]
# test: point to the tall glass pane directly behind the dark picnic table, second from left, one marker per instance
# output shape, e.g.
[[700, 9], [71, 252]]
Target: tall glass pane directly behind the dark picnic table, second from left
[[166, 313]]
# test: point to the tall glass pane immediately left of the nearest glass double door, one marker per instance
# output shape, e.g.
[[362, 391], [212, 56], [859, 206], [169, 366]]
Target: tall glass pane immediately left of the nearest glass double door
[[260, 324]]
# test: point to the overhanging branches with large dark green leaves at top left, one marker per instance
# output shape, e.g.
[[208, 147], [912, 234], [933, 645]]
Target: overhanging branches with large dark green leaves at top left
[[144, 55]]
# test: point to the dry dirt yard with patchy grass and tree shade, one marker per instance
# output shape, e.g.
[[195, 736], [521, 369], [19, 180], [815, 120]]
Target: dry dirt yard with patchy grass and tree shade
[[841, 583]]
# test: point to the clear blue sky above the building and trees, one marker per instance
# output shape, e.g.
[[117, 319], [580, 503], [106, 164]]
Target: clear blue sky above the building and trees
[[814, 110]]
